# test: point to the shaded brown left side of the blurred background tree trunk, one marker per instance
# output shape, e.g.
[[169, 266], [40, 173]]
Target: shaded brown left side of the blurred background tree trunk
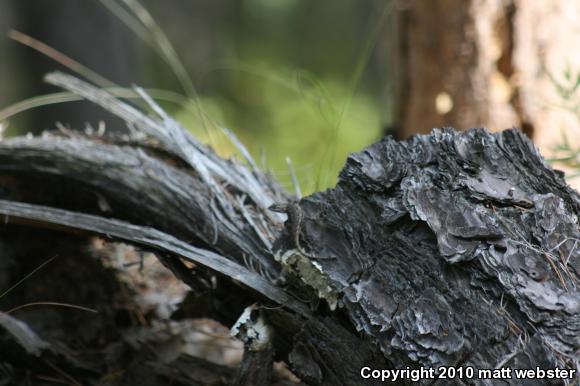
[[438, 56]]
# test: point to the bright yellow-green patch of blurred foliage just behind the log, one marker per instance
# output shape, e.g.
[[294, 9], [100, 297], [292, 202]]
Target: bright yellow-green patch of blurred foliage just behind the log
[[278, 120]]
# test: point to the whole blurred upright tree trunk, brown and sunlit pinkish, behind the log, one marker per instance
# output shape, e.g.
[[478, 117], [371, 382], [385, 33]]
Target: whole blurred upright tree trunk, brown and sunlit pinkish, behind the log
[[489, 63]]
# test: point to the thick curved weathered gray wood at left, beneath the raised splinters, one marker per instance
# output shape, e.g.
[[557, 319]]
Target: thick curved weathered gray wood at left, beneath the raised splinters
[[139, 188]]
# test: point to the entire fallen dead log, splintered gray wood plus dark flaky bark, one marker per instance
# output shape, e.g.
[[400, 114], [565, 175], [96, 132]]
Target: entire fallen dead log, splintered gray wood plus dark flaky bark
[[450, 249]]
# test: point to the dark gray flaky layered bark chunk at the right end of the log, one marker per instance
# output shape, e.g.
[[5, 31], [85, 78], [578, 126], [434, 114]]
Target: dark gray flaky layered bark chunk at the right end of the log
[[464, 243]]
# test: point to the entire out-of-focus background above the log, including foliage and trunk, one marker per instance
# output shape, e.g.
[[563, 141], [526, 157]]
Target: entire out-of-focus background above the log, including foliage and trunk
[[309, 81]]
